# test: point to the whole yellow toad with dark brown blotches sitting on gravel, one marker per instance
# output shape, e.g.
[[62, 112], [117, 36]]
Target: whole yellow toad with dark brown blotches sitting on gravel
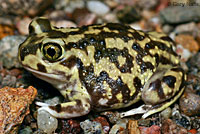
[[101, 67]]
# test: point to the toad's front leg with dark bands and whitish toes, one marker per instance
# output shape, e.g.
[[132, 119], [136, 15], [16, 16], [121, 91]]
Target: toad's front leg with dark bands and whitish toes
[[75, 108]]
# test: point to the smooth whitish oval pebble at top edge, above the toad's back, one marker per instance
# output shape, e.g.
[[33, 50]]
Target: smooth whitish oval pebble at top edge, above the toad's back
[[97, 7]]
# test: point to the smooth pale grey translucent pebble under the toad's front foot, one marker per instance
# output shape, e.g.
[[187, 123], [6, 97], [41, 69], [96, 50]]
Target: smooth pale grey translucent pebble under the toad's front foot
[[46, 122]]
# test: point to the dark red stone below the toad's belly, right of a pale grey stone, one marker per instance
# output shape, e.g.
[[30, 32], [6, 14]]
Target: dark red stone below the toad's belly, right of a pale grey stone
[[104, 123]]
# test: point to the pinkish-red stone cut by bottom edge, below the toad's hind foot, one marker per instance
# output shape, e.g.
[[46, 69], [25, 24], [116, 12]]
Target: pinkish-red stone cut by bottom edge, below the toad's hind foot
[[154, 129]]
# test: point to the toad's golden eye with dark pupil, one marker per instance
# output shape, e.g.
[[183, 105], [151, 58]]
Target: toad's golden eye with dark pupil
[[52, 51]]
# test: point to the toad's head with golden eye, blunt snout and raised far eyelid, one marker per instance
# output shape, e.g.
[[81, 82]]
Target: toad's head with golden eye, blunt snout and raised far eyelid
[[43, 52]]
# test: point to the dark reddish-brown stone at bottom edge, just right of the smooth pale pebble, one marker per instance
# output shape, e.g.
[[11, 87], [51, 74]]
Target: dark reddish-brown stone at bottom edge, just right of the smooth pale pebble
[[70, 127]]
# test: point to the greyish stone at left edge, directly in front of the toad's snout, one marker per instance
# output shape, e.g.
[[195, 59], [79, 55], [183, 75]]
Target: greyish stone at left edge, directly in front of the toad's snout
[[9, 50]]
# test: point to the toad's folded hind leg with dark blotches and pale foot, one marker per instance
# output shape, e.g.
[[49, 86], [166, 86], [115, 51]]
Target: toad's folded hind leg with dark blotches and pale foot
[[161, 90]]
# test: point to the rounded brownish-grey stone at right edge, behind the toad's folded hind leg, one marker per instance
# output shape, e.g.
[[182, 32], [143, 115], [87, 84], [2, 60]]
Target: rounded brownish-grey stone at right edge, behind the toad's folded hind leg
[[190, 104]]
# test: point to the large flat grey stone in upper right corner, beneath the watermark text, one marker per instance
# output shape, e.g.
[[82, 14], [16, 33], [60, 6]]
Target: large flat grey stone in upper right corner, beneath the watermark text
[[177, 14]]
